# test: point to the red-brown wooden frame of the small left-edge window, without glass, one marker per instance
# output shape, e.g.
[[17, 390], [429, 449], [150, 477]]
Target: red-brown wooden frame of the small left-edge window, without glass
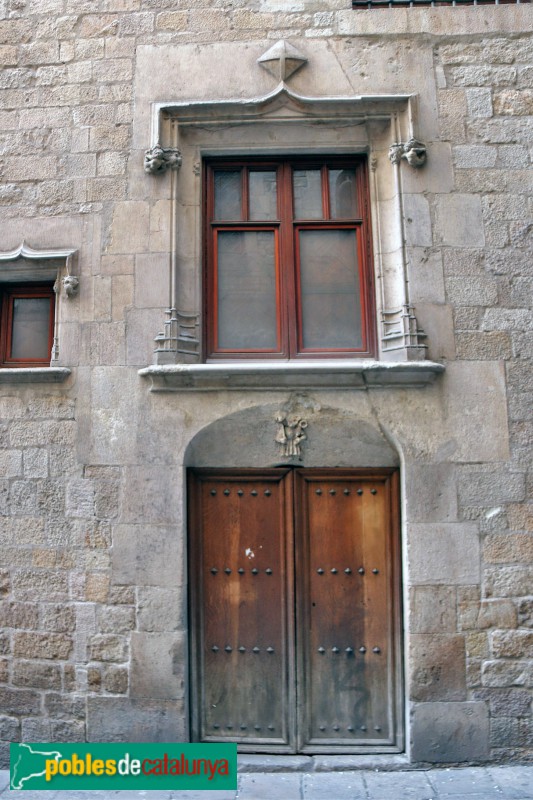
[[8, 294]]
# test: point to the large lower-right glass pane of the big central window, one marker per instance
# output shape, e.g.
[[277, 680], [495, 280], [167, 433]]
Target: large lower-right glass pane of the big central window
[[330, 292]]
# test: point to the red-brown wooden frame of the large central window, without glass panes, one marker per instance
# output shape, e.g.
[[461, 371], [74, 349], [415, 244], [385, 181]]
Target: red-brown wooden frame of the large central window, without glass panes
[[287, 295]]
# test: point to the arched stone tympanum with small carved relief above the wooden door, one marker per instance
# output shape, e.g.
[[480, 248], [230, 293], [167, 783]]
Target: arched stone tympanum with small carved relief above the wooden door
[[334, 437]]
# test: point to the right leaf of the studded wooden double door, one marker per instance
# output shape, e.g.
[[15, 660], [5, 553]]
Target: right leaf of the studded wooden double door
[[347, 611]]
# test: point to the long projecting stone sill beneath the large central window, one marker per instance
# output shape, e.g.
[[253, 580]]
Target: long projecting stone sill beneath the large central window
[[362, 374]]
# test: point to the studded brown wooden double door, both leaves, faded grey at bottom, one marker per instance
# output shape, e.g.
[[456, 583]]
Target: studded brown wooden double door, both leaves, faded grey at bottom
[[295, 610]]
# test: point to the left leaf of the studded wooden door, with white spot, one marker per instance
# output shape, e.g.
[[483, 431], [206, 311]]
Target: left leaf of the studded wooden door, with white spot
[[240, 557]]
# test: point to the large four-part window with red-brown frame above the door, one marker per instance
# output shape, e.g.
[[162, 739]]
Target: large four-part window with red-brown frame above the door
[[288, 271]]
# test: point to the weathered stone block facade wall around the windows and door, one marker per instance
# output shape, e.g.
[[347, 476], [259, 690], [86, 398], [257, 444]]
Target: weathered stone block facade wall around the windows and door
[[93, 603]]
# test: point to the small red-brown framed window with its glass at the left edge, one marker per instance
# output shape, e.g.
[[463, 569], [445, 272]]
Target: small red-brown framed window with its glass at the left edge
[[26, 324]]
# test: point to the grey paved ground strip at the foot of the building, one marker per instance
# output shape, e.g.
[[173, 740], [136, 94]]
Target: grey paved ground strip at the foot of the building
[[475, 783]]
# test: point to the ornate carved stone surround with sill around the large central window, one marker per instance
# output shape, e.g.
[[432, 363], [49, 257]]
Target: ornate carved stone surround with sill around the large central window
[[382, 126]]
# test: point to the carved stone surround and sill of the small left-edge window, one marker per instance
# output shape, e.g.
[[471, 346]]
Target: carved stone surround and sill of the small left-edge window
[[25, 265]]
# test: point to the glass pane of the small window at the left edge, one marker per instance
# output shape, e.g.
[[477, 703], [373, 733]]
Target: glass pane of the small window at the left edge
[[31, 326]]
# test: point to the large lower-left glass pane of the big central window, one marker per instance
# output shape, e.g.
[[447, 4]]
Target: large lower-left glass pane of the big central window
[[246, 283]]
